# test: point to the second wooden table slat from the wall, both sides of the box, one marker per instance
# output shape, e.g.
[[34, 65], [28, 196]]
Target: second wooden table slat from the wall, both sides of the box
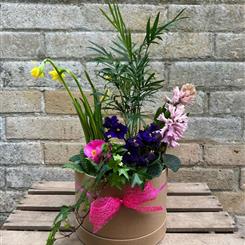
[[174, 203]]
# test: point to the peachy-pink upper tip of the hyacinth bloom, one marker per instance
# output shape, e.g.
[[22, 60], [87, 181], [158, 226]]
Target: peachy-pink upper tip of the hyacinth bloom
[[183, 96]]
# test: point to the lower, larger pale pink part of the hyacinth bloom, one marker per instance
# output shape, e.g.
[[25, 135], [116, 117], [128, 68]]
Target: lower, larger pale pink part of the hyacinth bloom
[[175, 126]]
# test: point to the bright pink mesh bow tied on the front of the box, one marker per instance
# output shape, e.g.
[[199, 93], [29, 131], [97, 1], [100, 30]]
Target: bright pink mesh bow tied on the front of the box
[[103, 209]]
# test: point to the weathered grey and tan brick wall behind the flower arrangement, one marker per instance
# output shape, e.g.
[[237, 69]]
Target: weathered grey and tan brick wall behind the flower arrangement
[[38, 128]]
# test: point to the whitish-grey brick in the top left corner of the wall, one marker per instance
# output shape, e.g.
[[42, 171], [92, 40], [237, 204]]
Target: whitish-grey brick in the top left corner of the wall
[[45, 16]]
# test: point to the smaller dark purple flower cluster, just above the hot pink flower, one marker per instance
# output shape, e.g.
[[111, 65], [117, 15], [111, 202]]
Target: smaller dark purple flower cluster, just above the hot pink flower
[[114, 128]]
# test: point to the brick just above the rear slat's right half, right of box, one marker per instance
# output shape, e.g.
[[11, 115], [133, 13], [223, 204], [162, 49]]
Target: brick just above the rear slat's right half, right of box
[[223, 179]]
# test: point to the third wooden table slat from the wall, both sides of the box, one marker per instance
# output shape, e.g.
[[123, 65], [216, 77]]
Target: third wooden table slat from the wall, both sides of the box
[[176, 222]]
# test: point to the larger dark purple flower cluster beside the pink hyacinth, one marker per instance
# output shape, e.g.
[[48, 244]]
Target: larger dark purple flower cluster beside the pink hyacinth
[[143, 148]]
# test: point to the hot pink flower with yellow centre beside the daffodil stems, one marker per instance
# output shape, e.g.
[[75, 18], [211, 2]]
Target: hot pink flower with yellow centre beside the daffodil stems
[[93, 150]]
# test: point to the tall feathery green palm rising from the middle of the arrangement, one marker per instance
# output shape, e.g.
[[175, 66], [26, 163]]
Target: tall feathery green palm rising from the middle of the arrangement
[[126, 67]]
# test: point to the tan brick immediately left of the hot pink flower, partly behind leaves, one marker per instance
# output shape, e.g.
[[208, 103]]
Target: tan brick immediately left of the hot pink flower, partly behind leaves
[[59, 153]]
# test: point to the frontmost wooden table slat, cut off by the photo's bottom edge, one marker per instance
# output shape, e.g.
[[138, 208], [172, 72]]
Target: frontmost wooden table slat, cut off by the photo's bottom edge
[[39, 238]]
